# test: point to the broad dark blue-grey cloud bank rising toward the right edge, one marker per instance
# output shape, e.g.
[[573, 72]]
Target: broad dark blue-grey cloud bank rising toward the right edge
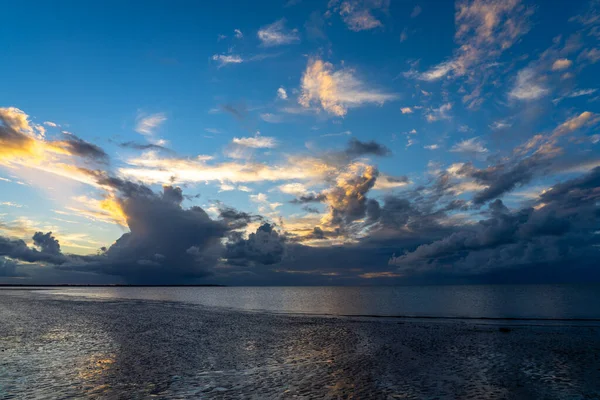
[[563, 229]]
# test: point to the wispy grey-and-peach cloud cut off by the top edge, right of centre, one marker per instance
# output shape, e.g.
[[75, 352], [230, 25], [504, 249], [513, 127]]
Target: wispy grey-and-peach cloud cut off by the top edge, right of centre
[[358, 14]]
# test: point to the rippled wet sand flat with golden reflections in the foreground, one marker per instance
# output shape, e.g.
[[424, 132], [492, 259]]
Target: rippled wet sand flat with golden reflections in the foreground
[[53, 348]]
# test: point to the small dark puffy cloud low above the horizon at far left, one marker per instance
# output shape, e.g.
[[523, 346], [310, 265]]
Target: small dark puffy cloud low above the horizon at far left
[[49, 249]]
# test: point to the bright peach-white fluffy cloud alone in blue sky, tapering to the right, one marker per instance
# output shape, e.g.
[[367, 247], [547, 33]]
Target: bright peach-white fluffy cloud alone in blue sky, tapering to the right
[[336, 91]]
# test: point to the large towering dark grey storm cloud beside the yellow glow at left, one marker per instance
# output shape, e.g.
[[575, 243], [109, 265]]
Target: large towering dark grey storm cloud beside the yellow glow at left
[[166, 242]]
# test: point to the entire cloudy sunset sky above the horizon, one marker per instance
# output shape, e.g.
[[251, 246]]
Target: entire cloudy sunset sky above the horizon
[[296, 142]]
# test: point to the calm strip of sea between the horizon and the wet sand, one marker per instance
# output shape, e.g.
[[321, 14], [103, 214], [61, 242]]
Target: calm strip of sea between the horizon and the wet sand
[[468, 301]]
